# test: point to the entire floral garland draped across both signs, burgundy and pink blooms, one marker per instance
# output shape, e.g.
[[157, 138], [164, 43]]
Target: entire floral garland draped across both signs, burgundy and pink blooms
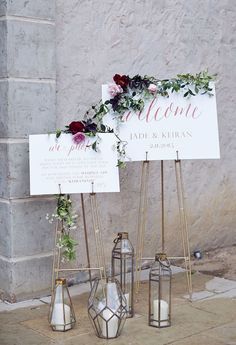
[[131, 93]]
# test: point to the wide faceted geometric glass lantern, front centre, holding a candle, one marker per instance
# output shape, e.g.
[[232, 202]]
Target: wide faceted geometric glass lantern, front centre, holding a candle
[[107, 308]]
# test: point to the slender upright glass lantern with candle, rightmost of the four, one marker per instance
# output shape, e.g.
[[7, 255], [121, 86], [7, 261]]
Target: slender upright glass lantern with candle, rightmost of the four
[[160, 292]]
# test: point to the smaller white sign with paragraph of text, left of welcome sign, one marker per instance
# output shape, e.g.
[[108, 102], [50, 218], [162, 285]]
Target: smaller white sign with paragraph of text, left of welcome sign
[[77, 168]]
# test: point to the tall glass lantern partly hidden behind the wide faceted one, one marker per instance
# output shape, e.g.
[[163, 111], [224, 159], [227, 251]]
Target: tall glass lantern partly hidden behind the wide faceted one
[[122, 267]]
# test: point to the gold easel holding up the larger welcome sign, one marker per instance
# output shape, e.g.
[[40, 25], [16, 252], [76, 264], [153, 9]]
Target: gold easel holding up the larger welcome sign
[[183, 222]]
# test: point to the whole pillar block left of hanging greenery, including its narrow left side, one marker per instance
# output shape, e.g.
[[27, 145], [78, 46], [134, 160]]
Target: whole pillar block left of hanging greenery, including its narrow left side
[[24, 228]]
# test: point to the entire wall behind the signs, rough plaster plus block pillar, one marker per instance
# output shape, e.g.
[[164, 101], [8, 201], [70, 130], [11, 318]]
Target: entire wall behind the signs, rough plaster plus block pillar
[[94, 40]]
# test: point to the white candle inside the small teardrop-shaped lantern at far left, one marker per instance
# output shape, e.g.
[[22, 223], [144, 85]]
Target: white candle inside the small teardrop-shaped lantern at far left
[[58, 317]]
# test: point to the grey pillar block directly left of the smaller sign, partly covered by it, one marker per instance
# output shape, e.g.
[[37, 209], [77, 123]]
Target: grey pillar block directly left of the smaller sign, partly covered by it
[[14, 165]]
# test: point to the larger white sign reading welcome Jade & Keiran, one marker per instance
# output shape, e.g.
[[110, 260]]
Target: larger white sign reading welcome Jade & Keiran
[[169, 125]]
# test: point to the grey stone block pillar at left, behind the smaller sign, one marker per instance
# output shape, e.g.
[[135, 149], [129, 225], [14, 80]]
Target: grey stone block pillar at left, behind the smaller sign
[[27, 94]]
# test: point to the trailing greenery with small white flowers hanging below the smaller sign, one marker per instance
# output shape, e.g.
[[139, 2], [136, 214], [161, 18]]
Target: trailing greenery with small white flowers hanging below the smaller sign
[[65, 215]]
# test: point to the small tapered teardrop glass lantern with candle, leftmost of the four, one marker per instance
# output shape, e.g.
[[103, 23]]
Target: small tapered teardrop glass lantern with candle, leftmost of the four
[[61, 314]]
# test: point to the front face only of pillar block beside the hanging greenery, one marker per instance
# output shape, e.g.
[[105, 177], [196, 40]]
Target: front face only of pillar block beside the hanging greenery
[[31, 232]]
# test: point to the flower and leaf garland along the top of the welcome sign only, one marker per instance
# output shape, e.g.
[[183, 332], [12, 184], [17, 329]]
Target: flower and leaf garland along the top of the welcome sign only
[[132, 93]]
